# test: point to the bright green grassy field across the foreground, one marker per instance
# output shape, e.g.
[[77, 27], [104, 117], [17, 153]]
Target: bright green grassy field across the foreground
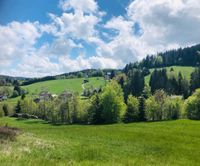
[[158, 143]]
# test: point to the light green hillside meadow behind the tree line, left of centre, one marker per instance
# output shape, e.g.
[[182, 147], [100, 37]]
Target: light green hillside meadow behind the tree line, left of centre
[[57, 86]]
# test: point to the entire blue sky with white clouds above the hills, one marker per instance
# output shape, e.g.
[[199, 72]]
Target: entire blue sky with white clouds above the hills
[[49, 37]]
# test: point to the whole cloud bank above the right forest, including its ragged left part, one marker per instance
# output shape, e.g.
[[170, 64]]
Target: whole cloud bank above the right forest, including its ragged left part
[[165, 24]]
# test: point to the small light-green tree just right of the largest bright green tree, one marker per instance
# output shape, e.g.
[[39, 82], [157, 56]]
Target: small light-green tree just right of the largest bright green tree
[[132, 110]]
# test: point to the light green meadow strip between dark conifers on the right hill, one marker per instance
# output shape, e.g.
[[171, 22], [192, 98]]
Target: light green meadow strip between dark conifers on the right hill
[[186, 72]]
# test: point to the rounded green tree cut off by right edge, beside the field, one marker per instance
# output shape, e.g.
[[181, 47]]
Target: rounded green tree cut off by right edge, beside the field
[[192, 106]]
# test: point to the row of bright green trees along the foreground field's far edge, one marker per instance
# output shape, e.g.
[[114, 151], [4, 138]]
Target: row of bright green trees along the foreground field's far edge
[[107, 107]]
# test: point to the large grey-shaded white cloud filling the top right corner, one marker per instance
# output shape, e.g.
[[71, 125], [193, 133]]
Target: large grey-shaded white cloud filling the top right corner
[[167, 23]]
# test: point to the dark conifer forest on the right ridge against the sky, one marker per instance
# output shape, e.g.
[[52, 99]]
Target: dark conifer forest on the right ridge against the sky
[[189, 56]]
